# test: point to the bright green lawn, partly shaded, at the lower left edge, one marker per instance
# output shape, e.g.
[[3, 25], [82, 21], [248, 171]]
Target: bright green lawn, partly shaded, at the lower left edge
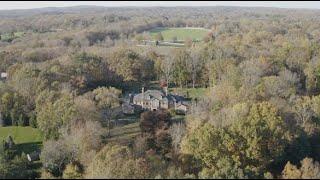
[[26, 138]]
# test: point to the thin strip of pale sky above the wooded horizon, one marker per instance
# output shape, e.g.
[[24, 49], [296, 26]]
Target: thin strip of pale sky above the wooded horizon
[[8, 5]]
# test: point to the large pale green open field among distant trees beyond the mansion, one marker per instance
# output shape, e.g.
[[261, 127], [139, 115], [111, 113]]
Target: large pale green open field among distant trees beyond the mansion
[[181, 33]]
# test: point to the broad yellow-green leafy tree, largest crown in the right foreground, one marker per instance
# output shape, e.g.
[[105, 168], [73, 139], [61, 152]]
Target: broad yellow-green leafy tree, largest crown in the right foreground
[[244, 144]]
